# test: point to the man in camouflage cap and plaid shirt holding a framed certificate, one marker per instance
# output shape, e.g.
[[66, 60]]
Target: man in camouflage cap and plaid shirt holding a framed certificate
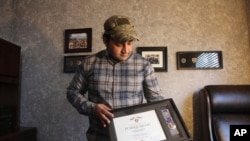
[[113, 78]]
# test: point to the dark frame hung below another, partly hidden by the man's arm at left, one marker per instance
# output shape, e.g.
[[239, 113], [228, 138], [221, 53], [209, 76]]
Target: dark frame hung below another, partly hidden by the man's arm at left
[[71, 63]]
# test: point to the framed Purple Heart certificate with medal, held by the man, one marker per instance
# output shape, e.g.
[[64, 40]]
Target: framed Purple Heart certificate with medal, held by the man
[[156, 121]]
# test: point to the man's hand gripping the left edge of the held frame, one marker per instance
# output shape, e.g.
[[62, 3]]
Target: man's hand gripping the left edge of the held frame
[[103, 113]]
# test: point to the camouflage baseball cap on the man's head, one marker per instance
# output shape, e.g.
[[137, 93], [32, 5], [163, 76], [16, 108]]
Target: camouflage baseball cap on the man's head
[[120, 28]]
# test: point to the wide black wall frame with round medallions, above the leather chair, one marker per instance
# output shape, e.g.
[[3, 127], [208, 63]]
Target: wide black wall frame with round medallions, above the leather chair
[[199, 60]]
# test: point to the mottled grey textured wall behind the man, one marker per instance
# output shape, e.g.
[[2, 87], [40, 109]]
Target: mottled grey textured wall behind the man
[[181, 25]]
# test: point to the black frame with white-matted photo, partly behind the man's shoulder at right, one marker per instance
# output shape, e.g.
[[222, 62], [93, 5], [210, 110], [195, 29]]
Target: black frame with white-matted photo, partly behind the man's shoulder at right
[[157, 56]]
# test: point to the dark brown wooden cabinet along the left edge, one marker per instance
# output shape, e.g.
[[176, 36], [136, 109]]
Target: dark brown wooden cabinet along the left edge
[[10, 93]]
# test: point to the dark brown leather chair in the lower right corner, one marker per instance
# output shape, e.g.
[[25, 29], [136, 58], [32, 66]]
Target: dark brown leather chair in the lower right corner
[[216, 107]]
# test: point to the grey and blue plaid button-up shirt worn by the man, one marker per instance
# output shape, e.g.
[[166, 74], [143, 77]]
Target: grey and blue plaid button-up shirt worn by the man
[[100, 79]]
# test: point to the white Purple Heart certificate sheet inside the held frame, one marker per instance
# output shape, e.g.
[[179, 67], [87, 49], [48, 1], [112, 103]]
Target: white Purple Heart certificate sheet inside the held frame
[[140, 126]]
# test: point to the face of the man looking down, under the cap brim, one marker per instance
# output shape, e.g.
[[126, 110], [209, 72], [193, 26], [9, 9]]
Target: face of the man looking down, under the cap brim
[[120, 51]]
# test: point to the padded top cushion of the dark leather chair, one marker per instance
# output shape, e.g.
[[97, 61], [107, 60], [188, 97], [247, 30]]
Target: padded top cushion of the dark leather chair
[[229, 98]]
